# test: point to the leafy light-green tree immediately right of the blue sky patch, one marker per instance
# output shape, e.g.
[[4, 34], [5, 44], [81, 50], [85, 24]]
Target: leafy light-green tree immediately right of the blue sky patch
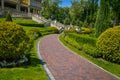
[[77, 12]]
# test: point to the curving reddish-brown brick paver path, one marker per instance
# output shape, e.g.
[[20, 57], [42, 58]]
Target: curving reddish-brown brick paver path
[[65, 65]]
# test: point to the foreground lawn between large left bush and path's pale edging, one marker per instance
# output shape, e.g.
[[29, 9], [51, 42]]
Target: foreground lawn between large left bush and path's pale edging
[[34, 71]]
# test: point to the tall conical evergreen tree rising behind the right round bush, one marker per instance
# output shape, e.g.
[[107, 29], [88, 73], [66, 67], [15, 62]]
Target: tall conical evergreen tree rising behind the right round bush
[[103, 18]]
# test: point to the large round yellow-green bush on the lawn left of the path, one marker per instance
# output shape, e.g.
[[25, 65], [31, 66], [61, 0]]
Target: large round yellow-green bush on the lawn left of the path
[[14, 43]]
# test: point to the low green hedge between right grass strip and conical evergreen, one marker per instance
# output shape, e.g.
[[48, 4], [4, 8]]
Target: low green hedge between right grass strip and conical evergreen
[[83, 42]]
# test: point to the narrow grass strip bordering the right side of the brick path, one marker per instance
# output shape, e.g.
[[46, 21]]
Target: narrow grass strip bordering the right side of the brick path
[[105, 65]]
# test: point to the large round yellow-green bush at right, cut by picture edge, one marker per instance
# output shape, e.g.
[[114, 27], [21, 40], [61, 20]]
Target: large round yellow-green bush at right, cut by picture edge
[[109, 44]]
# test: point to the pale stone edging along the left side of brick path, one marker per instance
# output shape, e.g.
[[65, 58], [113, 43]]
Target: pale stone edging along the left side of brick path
[[49, 74]]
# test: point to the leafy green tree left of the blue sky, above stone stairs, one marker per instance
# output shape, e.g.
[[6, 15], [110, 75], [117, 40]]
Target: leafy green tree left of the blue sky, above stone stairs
[[50, 8]]
